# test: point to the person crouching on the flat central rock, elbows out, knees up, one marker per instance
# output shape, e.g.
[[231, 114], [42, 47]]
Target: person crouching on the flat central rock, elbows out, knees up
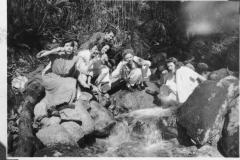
[[132, 69]]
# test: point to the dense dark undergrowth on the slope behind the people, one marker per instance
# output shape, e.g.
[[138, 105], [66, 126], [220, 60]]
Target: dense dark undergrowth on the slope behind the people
[[149, 27]]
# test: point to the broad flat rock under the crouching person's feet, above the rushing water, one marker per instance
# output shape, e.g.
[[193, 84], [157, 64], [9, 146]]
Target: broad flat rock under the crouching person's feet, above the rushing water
[[138, 99]]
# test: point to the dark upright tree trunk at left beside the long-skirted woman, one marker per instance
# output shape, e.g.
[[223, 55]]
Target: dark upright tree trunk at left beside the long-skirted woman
[[28, 142]]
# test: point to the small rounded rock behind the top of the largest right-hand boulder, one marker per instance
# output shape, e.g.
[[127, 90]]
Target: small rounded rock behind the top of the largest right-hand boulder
[[219, 74]]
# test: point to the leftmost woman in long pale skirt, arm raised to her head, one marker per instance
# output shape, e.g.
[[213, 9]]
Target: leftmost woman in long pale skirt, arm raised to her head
[[58, 79]]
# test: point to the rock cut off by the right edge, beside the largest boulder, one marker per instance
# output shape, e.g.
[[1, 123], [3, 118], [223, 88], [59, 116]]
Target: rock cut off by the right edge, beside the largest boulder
[[230, 134]]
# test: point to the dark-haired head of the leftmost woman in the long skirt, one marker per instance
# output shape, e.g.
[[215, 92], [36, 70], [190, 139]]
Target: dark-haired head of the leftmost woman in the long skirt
[[69, 43]]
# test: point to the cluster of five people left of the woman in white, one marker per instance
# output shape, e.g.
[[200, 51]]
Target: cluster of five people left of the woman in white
[[89, 65]]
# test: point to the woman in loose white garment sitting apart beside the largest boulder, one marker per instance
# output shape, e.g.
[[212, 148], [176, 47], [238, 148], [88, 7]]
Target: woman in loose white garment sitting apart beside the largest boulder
[[179, 83]]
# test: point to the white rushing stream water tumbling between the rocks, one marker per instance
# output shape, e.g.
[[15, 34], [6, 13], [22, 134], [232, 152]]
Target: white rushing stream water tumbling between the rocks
[[140, 134]]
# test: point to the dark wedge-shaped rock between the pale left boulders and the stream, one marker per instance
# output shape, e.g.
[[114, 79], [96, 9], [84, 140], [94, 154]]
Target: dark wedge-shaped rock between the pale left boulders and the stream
[[102, 118]]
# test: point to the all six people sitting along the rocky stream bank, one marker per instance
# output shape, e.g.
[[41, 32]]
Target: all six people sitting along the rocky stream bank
[[91, 66]]
